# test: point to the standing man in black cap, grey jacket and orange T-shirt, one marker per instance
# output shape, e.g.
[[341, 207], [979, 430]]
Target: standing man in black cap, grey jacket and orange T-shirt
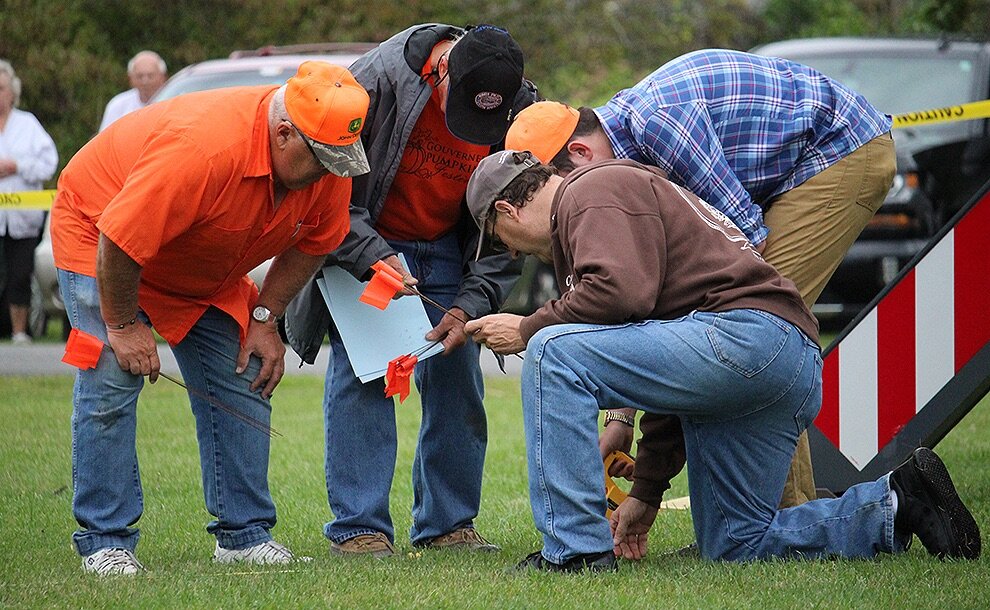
[[441, 103]]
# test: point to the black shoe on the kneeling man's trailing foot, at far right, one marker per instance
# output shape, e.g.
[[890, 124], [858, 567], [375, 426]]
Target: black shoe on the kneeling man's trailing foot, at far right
[[928, 507]]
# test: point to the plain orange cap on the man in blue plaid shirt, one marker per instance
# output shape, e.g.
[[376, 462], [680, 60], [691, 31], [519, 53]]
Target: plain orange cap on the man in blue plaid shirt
[[543, 129]]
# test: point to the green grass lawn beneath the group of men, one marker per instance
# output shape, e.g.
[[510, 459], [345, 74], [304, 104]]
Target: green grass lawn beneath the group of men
[[40, 569]]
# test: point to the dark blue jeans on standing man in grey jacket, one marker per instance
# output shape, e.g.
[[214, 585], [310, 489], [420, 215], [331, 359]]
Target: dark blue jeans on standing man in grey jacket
[[453, 435]]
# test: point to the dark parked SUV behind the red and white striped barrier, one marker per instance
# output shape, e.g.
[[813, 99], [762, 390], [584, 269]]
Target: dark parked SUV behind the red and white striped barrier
[[939, 166]]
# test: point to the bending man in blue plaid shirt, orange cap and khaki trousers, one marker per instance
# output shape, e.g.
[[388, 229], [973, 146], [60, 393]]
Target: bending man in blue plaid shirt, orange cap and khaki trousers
[[796, 160]]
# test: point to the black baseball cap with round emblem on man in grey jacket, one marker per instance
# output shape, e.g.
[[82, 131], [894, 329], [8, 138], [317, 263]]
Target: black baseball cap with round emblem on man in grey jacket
[[485, 68]]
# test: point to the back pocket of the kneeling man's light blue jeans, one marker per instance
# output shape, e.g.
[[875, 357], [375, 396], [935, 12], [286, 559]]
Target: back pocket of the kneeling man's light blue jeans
[[747, 340]]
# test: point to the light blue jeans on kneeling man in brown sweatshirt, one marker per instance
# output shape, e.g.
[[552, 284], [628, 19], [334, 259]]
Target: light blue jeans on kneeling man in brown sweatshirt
[[744, 383]]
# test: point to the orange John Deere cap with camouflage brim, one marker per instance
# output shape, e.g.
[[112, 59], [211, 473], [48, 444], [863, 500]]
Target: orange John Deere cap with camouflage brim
[[328, 107]]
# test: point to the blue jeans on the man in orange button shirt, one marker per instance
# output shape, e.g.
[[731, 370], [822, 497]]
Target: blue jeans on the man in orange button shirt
[[107, 498]]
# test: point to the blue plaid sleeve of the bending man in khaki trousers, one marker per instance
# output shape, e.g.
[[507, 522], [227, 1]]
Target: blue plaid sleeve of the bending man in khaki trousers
[[681, 140]]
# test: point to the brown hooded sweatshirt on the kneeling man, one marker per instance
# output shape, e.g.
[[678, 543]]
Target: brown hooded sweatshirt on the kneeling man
[[628, 245]]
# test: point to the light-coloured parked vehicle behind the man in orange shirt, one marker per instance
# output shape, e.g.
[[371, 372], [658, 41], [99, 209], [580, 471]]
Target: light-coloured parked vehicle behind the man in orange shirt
[[265, 66]]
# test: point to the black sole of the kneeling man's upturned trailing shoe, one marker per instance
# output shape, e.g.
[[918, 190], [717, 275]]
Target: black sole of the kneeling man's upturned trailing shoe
[[936, 479]]
